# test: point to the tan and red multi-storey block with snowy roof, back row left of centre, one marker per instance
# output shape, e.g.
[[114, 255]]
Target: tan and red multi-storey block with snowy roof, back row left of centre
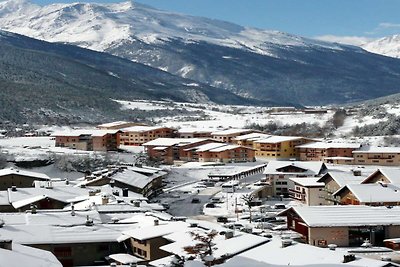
[[138, 135]]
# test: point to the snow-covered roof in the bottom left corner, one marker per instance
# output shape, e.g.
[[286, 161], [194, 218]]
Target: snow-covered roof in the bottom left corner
[[21, 255]]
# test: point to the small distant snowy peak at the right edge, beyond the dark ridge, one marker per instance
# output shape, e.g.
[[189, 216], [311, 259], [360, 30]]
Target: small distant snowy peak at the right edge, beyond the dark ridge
[[387, 46]]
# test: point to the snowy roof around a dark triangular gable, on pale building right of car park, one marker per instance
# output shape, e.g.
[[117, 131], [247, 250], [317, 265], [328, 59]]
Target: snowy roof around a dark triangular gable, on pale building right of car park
[[311, 167]]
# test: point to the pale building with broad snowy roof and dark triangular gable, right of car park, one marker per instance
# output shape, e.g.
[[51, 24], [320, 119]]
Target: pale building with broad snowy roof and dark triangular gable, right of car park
[[278, 174]]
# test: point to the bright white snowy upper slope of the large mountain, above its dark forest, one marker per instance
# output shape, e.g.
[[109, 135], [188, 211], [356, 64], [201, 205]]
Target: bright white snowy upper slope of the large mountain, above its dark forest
[[101, 26]]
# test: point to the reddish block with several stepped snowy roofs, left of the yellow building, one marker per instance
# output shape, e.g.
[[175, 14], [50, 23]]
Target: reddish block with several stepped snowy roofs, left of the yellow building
[[220, 152]]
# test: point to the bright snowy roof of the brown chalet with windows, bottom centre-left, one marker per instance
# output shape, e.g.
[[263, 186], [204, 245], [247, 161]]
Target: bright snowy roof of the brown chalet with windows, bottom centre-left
[[149, 232]]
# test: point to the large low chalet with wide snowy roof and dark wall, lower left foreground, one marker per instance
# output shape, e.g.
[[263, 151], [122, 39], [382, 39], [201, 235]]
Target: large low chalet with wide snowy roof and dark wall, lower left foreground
[[77, 238]]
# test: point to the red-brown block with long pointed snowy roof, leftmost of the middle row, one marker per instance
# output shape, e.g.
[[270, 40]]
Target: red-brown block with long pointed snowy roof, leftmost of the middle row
[[168, 150]]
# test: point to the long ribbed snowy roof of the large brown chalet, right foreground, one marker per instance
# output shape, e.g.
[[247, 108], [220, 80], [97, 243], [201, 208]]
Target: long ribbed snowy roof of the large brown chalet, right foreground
[[348, 215]]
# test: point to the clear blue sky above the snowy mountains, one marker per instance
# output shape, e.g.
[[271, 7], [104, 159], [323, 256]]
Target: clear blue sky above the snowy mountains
[[360, 18]]
